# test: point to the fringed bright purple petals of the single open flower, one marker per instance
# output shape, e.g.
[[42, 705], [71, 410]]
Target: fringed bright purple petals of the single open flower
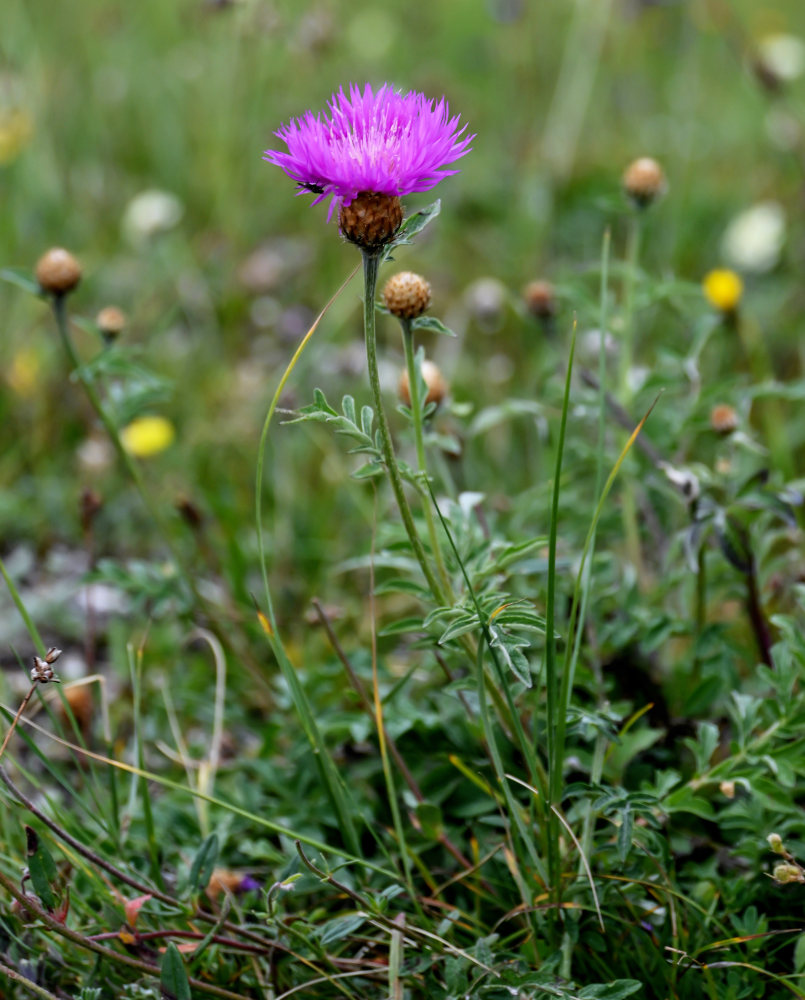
[[385, 142]]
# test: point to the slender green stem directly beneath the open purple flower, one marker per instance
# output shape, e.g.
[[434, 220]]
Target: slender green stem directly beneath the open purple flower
[[371, 263]]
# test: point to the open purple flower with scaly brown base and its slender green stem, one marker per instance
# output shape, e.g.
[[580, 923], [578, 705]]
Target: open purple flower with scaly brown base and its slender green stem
[[370, 150]]
